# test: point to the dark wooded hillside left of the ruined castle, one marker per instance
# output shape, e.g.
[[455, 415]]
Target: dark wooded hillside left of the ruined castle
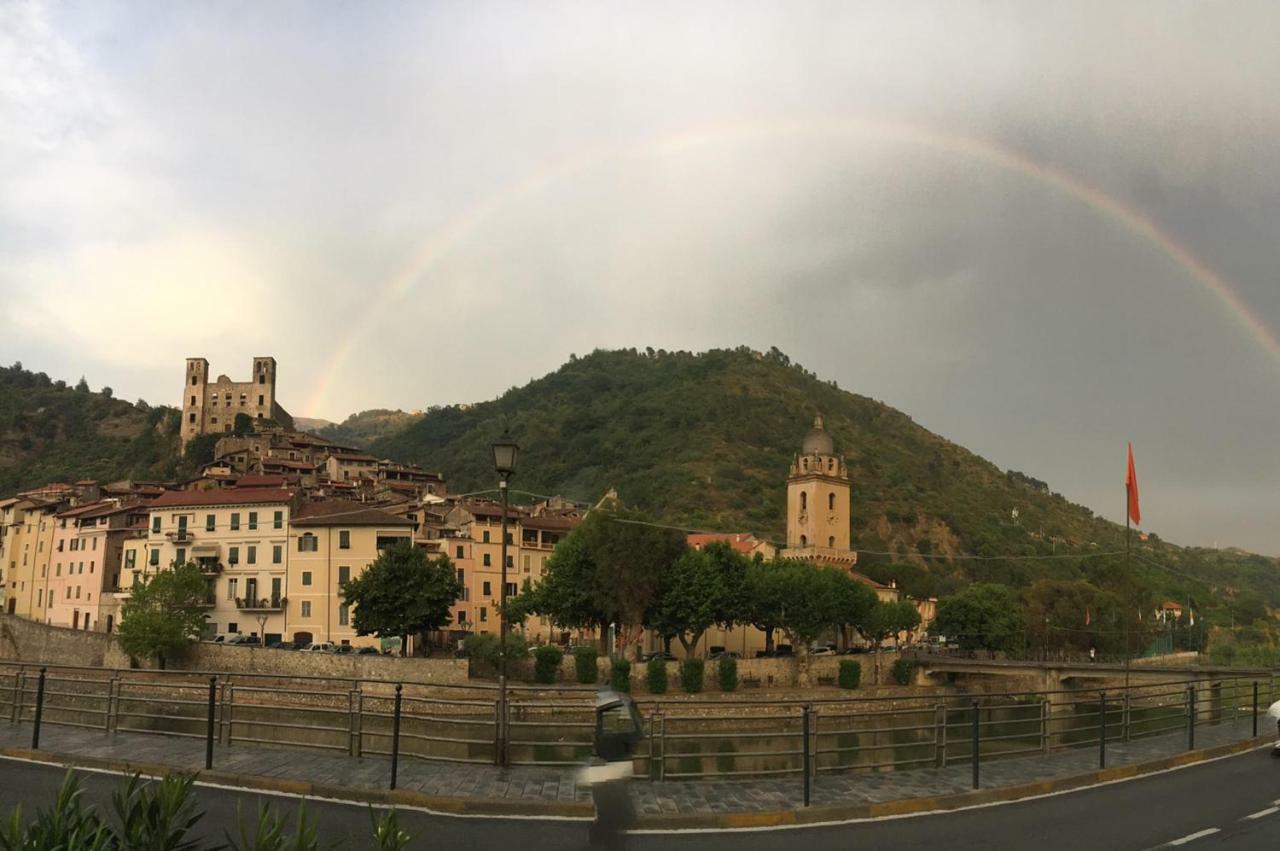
[[51, 432]]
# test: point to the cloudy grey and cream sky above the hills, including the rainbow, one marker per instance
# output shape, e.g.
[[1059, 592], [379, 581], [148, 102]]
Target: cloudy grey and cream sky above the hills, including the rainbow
[[1040, 230]]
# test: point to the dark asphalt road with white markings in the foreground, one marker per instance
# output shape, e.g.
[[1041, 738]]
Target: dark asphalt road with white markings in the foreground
[[1204, 807]]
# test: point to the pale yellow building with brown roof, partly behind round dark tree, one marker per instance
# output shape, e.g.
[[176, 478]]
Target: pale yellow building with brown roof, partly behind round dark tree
[[331, 545]]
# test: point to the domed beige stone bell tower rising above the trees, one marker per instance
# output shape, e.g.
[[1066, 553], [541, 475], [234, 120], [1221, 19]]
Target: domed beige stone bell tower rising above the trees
[[820, 502]]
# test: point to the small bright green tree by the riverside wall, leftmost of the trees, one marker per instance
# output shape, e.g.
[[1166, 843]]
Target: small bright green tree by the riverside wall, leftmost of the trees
[[166, 612]]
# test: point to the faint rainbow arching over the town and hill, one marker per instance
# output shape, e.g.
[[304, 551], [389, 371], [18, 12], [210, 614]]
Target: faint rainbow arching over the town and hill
[[1105, 205]]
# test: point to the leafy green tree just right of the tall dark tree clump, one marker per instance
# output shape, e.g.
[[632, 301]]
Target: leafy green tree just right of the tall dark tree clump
[[702, 589]]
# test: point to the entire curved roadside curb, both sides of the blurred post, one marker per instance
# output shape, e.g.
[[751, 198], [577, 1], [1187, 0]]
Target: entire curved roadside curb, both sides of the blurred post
[[586, 811]]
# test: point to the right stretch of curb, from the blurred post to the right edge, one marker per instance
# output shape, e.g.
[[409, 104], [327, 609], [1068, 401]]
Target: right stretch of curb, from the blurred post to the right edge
[[939, 804]]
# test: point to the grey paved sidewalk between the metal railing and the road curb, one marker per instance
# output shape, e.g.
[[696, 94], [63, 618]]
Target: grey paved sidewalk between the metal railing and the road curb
[[464, 788]]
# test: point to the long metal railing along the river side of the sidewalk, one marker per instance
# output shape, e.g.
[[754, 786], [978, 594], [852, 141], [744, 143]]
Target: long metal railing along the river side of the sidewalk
[[687, 739]]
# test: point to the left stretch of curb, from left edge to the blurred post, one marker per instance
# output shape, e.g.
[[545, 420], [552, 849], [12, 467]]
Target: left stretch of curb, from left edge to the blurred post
[[305, 789]]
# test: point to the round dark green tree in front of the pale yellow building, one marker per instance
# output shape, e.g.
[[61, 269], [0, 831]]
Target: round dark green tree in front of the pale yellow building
[[404, 593]]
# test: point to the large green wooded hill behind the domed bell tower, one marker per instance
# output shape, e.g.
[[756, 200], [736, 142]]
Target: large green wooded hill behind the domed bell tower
[[705, 441]]
